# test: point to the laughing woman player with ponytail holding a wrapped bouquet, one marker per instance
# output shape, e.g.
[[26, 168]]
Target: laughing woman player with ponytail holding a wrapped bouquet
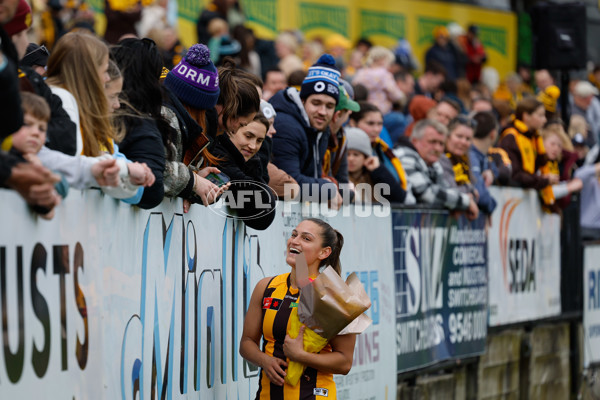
[[268, 314]]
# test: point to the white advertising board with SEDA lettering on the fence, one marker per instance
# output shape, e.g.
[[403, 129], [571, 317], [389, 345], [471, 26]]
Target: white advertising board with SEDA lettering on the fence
[[524, 259]]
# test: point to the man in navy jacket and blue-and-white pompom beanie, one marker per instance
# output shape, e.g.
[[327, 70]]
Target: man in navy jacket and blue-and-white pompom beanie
[[302, 125]]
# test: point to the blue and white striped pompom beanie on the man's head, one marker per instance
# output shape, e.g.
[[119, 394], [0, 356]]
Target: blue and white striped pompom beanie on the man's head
[[322, 78]]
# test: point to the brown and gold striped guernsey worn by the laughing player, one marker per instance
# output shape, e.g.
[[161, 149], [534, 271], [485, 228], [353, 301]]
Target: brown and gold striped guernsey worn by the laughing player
[[277, 303]]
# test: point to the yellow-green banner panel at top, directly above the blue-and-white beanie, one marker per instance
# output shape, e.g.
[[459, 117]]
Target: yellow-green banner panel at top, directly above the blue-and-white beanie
[[315, 16]]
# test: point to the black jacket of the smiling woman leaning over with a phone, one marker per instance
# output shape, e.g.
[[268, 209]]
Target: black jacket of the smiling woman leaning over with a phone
[[246, 176]]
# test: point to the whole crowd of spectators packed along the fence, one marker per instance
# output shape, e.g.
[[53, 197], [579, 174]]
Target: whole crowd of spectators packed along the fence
[[140, 117]]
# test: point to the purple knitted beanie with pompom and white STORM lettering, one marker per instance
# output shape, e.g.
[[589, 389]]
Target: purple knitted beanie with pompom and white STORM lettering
[[195, 80]]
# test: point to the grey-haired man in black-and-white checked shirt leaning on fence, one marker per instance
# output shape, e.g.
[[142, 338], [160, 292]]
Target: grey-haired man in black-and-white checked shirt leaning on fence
[[420, 159]]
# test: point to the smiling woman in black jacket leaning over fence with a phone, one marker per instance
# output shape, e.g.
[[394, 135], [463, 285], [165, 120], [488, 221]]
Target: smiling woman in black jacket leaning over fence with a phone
[[249, 196]]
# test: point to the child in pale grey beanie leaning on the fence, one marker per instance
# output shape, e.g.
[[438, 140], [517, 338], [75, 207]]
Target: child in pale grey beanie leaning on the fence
[[364, 168]]
